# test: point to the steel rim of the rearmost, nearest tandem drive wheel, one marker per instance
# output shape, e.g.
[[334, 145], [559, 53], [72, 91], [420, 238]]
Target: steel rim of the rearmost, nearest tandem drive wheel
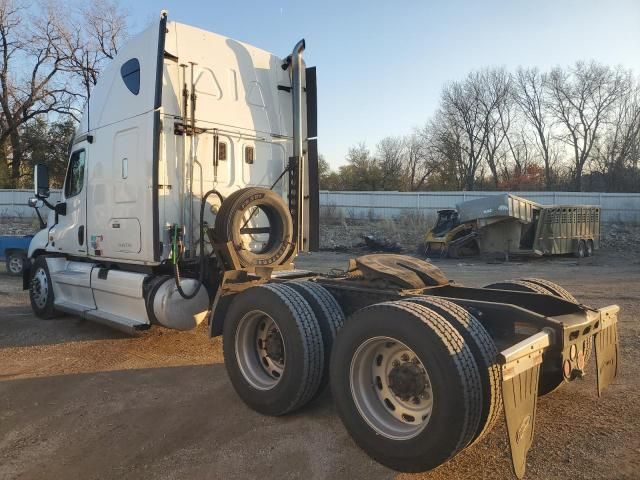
[[372, 390]]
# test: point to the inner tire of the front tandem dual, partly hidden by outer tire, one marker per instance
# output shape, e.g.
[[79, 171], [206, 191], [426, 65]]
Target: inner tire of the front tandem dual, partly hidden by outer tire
[[329, 315]]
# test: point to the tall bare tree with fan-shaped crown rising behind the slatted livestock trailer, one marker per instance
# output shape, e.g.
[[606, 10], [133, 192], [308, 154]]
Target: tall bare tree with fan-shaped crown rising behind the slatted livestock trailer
[[582, 100]]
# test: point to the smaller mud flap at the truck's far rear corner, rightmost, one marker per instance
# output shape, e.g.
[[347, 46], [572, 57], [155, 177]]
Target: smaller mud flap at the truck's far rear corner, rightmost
[[606, 345]]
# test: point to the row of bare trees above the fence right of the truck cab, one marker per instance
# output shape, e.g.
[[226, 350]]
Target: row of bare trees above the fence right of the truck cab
[[569, 128]]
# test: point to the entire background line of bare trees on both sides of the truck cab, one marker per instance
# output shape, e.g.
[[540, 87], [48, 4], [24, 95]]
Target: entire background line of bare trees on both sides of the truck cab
[[573, 128]]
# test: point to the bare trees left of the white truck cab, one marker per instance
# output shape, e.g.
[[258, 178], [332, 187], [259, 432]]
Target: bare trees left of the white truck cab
[[51, 54]]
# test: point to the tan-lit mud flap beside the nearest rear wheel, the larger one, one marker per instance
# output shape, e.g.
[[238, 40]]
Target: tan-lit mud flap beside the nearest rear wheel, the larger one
[[520, 375]]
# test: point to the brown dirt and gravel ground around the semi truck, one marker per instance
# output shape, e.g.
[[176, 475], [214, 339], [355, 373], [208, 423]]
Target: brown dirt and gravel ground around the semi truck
[[80, 401]]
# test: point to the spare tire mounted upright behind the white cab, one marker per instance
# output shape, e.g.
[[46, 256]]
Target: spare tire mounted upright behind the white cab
[[258, 224]]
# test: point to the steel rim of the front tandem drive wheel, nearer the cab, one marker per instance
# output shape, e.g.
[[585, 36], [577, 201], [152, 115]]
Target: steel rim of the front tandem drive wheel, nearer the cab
[[258, 364]]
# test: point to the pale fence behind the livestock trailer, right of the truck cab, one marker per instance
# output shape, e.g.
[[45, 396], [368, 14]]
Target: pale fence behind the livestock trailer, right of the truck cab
[[616, 207]]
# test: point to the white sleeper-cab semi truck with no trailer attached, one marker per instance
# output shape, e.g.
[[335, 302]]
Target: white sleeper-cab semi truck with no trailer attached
[[192, 185]]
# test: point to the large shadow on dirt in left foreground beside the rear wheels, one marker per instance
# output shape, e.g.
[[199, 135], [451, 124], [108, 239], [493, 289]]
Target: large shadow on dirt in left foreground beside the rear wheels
[[178, 422]]
